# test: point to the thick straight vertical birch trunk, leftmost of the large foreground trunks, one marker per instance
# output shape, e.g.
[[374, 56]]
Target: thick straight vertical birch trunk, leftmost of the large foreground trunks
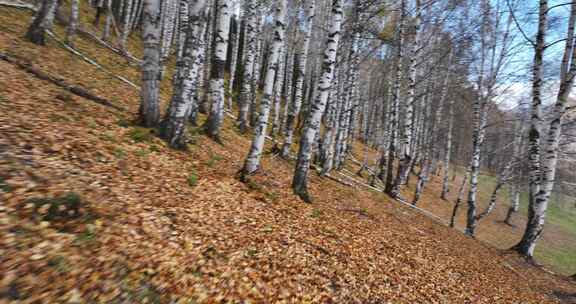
[[149, 106]]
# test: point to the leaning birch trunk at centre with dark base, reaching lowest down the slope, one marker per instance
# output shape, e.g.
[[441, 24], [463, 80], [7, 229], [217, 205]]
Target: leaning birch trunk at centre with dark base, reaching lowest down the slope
[[312, 127]]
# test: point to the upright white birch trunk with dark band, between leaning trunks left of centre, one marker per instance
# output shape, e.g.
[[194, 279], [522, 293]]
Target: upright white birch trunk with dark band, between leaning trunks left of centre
[[219, 57]]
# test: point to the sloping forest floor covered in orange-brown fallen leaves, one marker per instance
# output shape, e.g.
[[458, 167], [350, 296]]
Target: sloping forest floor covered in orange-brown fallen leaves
[[147, 224]]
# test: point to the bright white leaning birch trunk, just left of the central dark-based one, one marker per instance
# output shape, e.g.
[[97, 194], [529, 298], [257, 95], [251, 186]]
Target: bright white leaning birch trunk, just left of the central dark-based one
[[252, 162]]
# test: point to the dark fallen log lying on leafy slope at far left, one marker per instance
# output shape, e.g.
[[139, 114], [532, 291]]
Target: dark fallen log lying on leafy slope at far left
[[76, 90]]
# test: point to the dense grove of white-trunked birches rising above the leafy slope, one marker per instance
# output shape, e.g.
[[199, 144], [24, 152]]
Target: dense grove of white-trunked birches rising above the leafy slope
[[424, 101]]
